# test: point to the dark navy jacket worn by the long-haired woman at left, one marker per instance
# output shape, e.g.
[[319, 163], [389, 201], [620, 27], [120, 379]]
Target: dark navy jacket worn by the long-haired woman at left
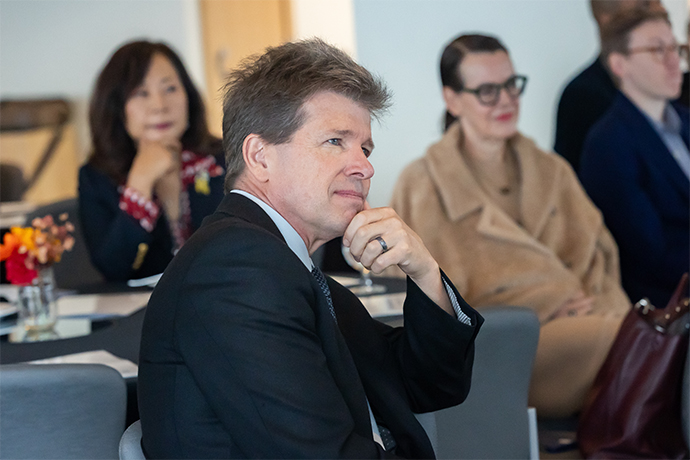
[[113, 236]]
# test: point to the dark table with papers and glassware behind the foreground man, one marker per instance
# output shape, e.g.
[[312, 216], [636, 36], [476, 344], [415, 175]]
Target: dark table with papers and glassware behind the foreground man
[[102, 323]]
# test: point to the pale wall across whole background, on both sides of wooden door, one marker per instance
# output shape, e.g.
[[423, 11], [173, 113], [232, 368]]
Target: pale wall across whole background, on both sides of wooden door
[[57, 47]]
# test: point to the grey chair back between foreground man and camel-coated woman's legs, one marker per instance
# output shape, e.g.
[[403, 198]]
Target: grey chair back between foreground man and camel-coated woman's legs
[[493, 421]]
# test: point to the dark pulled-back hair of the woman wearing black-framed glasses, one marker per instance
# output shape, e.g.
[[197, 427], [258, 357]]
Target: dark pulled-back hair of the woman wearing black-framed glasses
[[455, 53]]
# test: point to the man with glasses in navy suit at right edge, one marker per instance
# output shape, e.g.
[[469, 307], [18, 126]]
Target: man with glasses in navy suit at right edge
[[636, 164]]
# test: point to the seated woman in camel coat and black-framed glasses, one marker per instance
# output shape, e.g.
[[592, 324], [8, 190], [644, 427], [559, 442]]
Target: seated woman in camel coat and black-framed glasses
[[511, 225]]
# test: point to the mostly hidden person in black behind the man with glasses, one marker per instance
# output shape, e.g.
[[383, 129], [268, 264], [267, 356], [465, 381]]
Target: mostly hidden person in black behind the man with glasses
[[589, 95]]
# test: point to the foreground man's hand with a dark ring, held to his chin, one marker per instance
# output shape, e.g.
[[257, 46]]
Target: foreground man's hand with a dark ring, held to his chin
[[373, 228]]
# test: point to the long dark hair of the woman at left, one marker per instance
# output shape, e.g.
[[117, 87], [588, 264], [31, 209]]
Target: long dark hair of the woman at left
[[113, 148]]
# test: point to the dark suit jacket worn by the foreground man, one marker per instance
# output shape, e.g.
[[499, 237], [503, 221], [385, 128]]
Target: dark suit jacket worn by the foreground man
[[240, 357]]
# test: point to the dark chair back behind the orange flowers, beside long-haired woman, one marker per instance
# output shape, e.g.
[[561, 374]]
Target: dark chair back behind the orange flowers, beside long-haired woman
[[75, 269]]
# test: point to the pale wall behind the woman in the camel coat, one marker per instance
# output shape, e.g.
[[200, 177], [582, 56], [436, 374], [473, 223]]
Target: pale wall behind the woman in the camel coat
[[402, 40]]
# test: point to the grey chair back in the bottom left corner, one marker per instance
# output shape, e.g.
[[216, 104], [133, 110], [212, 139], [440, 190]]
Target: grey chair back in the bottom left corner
[[66, 411]]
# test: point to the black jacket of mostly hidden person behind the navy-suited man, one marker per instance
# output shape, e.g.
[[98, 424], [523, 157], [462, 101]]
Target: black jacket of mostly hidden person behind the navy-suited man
[[584, 100]]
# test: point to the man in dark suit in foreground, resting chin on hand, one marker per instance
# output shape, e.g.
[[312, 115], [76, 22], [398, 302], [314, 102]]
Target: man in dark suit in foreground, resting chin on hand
[[247, 350]]
